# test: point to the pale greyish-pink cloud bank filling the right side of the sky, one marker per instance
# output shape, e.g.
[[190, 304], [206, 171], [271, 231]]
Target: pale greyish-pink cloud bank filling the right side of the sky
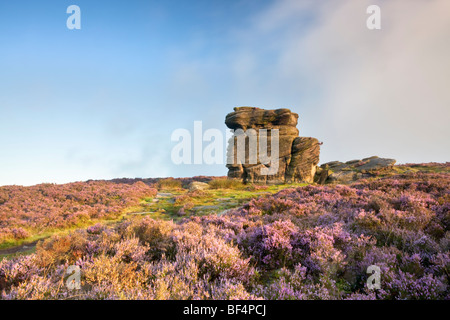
[[381, 92]]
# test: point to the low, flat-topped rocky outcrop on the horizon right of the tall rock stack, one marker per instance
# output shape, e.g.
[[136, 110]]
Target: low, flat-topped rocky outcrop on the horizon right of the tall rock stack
[[345, 172]]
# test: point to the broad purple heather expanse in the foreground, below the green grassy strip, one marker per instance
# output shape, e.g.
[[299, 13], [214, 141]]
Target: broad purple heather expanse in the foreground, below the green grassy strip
[[313, 242]]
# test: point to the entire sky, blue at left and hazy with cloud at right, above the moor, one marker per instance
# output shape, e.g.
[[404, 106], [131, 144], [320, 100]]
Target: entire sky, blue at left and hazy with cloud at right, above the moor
[[102, 102]]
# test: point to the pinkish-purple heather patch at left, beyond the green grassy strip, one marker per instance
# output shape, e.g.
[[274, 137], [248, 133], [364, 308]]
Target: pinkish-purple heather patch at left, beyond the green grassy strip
[[28, 210]]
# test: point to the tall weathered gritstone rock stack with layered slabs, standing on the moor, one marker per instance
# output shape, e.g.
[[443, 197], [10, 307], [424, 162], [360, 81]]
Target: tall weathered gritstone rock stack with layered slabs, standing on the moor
[[297, 156]]
